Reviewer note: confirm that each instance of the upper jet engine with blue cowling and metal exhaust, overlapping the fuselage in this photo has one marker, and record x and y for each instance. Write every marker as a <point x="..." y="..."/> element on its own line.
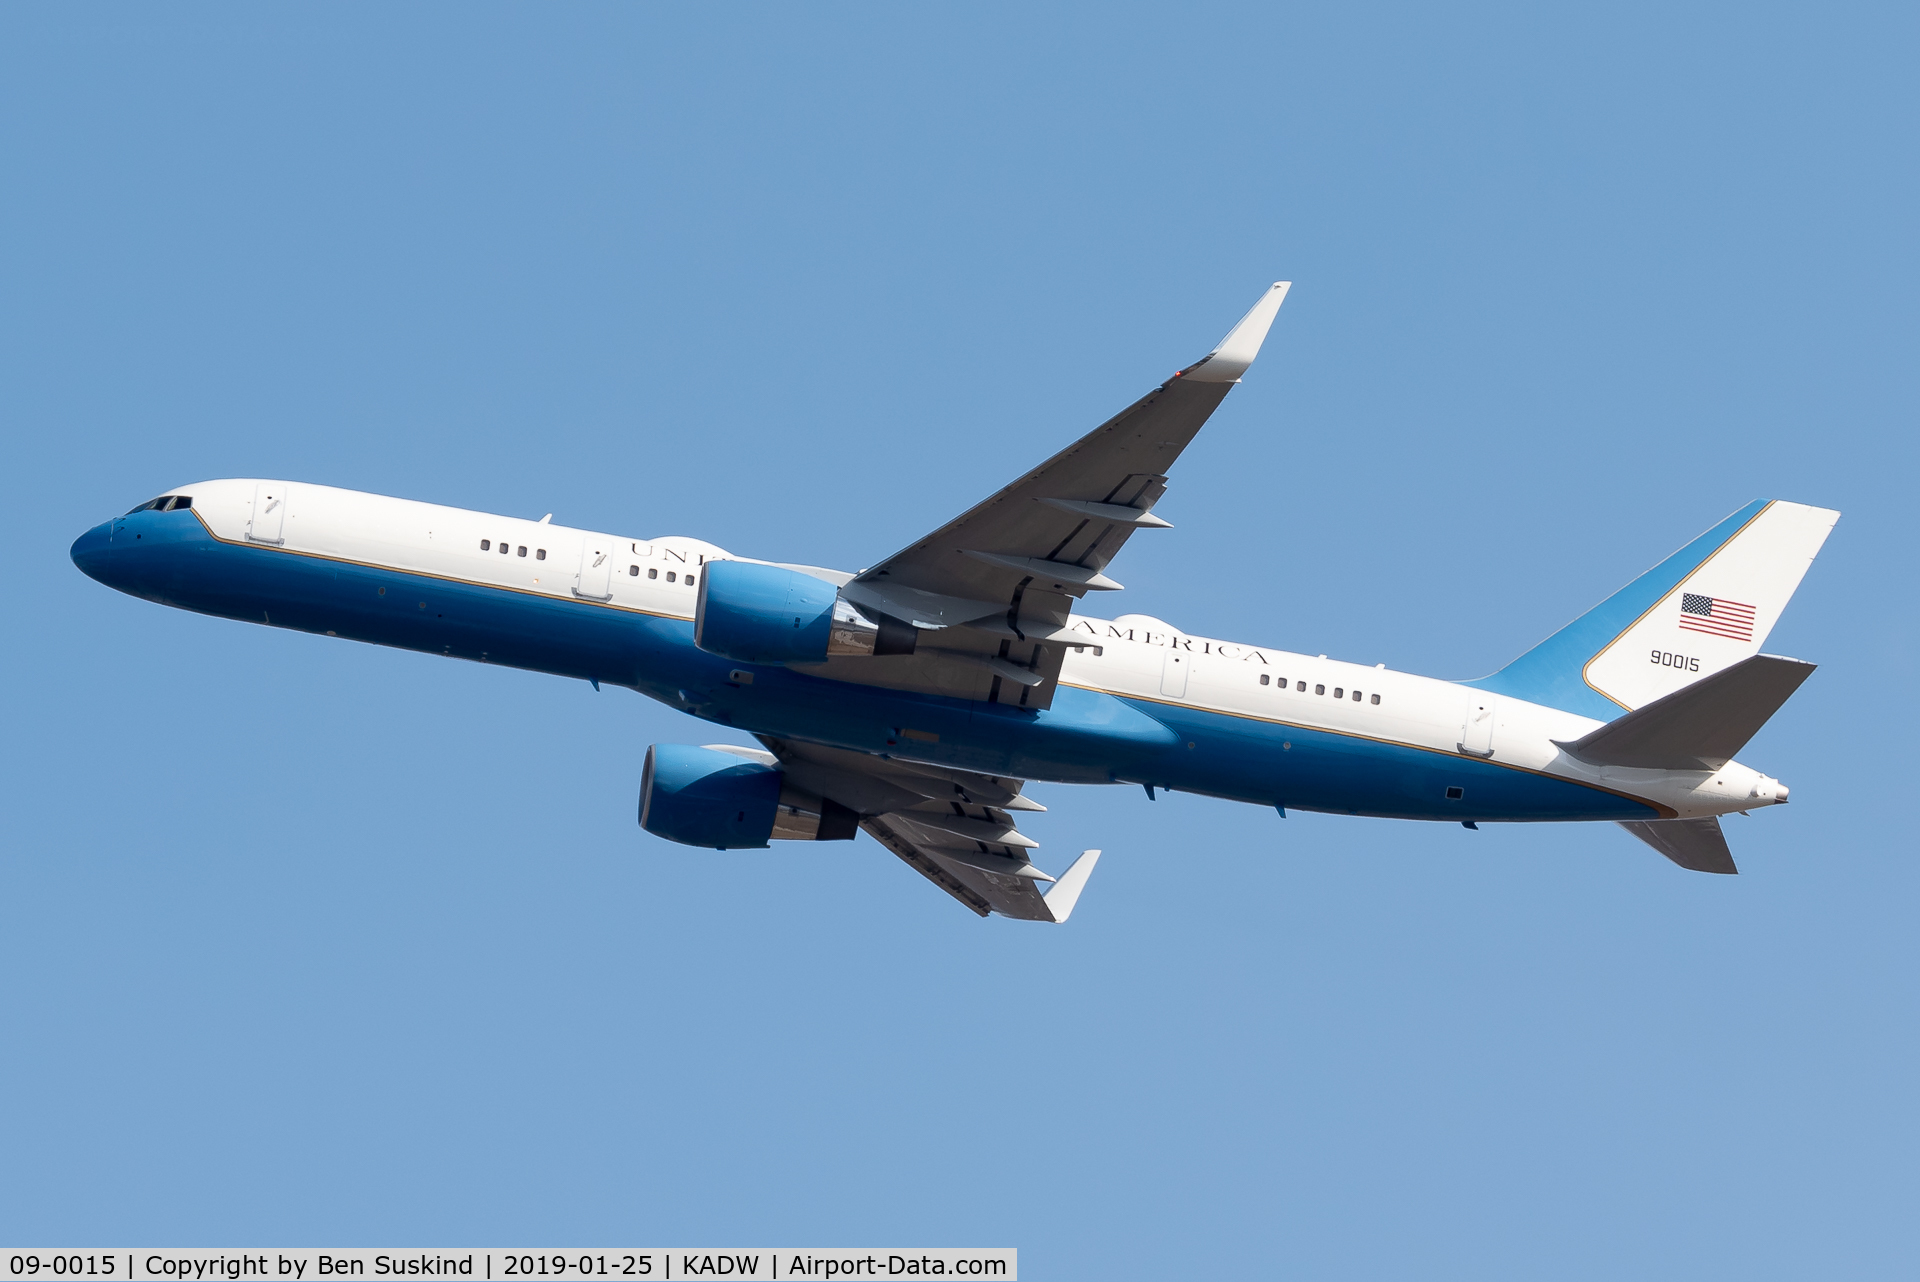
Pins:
<point x="771" y="615"/>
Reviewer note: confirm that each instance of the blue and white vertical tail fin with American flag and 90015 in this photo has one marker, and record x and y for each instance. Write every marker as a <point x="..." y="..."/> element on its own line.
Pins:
<point x="1700" y="611"/>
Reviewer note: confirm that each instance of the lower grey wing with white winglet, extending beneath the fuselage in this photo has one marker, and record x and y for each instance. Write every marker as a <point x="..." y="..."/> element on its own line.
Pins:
<point x="951" y="826"/>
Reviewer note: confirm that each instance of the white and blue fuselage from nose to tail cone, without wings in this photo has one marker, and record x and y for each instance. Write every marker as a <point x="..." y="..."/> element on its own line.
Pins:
<point x="1138" y="701"/>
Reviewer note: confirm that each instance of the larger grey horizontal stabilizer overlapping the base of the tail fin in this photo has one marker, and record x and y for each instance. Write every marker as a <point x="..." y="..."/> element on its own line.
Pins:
<point x="1700" y="726"/>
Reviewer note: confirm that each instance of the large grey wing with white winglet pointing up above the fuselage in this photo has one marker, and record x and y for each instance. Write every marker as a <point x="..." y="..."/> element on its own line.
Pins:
<point x="992" y="588"/>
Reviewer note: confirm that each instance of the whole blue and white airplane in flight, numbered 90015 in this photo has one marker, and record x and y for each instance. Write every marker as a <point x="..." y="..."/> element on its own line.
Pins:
<point x="917" y="700"/>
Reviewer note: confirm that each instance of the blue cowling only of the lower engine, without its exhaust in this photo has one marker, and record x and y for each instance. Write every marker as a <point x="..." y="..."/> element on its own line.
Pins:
<point x="708" y="799"/>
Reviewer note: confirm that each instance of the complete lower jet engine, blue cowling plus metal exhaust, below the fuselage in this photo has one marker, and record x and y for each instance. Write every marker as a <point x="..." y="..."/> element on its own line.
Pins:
<point x="732" y="799"/>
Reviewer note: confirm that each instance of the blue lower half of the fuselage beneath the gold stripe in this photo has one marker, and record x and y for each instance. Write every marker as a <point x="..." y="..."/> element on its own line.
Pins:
<point x="1086" y="738"/>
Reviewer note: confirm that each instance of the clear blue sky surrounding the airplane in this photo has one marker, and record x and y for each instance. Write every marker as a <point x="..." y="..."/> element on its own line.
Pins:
<point x="316" y="943"/>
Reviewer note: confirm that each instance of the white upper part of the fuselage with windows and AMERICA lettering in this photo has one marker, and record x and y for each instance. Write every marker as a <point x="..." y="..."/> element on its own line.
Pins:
<point x="1134" y="657"/>
